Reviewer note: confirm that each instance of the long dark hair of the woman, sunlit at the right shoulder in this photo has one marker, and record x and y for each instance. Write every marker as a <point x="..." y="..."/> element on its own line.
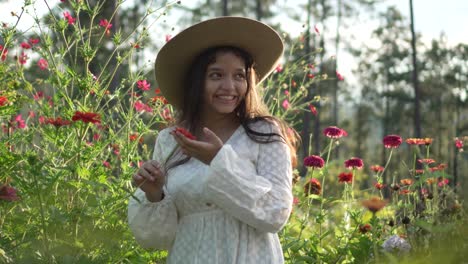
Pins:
<point x="250" y="110"/>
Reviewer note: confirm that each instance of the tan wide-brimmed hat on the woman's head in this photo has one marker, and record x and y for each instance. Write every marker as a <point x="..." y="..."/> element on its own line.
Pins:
<point x="175" y="58"/>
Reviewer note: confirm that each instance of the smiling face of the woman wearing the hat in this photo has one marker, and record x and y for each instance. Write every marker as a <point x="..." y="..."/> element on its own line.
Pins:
<point x="225" y="84"/>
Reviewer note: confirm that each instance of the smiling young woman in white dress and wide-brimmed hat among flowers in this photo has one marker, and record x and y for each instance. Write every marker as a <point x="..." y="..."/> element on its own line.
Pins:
<point x="223" y="195"/>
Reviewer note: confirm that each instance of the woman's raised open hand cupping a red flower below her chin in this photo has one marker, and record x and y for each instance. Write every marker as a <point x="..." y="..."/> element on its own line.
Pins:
<point x="204" y="151"/>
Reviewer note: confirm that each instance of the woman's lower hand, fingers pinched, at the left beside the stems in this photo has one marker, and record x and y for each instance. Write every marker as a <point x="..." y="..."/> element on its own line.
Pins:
<point x="150" y="179"/>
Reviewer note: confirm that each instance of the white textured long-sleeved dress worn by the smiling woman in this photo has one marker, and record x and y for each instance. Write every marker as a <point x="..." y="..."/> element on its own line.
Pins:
<point x="227" y="212"/>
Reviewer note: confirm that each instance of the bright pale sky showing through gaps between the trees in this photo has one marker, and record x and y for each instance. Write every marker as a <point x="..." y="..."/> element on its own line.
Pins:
<point x="432" y="17"/>
